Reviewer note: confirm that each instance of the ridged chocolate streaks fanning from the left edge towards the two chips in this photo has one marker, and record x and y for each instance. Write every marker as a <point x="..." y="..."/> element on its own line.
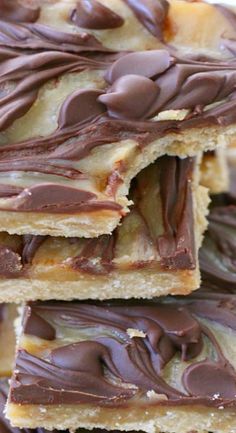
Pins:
<point x="30" y="70"/>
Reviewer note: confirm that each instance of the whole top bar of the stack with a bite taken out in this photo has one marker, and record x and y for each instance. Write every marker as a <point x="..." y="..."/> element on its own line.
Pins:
<point x="82" y="112"/>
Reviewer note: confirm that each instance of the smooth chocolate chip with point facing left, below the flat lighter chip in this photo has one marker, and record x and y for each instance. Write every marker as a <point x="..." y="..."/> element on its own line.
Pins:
<point x="130" y="97"/>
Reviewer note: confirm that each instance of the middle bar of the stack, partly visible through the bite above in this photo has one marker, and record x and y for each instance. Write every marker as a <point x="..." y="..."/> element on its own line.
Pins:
<point x="152" y="253"/>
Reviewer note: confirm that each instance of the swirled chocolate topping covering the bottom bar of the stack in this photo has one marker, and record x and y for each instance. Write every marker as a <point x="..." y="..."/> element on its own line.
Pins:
<point x="97" y="369"/>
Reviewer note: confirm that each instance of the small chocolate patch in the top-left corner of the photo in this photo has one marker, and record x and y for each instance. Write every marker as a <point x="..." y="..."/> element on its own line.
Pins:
<point x="11" y="10"/>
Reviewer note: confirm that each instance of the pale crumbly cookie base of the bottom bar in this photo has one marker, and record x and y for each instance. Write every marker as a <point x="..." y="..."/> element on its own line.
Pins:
<point x="150" y="419"/>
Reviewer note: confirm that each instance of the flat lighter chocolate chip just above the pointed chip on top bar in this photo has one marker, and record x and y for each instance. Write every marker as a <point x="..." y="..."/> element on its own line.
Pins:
<point x="145" y="63"/>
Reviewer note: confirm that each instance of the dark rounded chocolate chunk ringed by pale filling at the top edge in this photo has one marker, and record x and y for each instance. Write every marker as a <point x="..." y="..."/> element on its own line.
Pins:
<point x="91" y="14"/>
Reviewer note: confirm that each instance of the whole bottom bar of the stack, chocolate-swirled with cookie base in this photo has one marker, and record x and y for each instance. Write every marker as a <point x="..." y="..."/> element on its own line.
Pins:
<point x="166" y="365"/>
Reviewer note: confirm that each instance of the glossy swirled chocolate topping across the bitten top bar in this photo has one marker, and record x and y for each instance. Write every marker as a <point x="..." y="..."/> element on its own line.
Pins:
<point x="138" y="87"/>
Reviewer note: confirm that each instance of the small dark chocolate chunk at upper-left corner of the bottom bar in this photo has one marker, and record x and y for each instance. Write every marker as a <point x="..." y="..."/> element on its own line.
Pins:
<point x="37" y="326"/>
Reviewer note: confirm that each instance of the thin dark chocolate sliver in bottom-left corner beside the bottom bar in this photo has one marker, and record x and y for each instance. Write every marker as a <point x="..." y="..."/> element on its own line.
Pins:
<point x="5" y="425"/>
